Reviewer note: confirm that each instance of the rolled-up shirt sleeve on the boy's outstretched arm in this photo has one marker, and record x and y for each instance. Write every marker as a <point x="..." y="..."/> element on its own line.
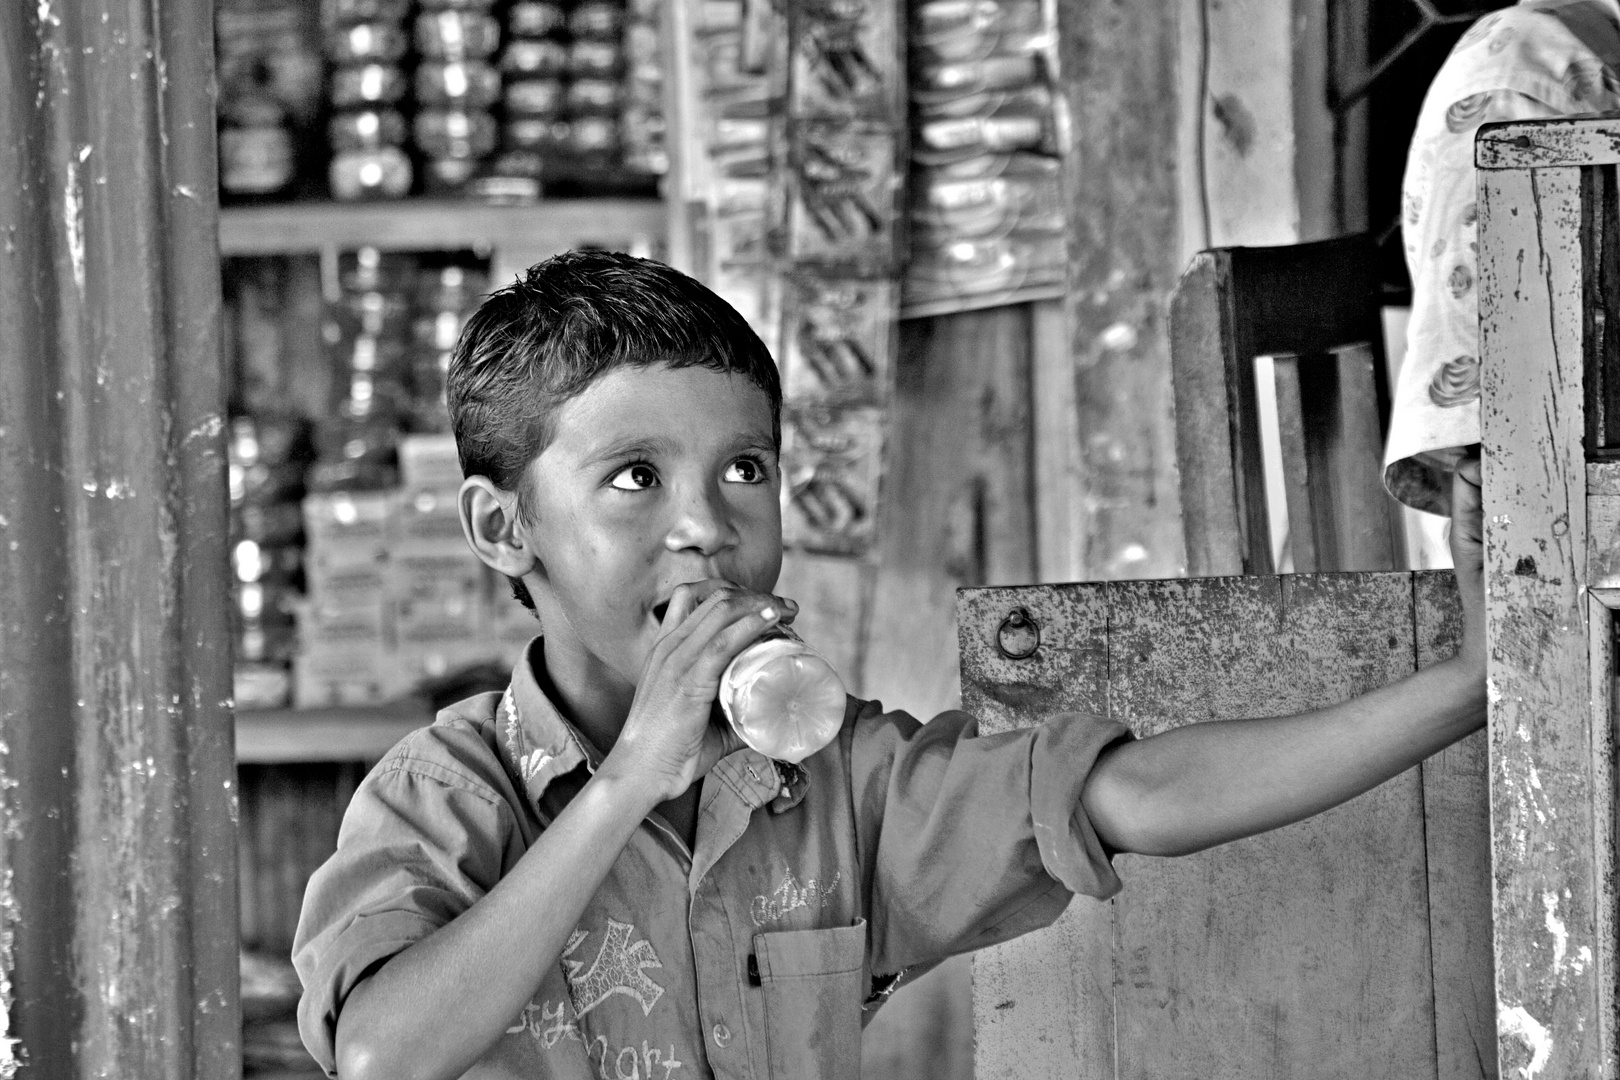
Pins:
<point x="973" y="840"/>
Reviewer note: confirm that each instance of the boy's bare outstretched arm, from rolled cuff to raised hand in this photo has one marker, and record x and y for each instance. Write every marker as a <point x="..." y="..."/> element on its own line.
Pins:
<point x="1206" y="784"/>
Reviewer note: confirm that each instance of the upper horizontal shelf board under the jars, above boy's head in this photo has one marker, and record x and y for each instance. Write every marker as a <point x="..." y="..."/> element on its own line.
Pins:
<point x="438" y="226"/>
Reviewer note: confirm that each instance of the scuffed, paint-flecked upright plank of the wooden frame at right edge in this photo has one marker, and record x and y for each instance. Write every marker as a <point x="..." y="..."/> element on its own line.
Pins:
<point x="1554" y="1005"/>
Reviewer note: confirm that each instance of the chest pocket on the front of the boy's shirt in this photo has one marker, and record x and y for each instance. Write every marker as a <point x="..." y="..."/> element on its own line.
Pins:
<point x="814" y="982"/>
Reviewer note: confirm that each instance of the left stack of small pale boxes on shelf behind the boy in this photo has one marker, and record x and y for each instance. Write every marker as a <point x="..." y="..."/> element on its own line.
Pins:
<point x="346" y="647"/>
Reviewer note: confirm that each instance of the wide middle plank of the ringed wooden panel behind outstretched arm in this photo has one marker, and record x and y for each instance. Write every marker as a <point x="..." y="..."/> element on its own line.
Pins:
<point x="1302" y="953"/>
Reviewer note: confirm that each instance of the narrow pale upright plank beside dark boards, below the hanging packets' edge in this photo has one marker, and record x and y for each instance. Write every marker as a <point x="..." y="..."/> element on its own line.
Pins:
<point x="1060" y="491"/>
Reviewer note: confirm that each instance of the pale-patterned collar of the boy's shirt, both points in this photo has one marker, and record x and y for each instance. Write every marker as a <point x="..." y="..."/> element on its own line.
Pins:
<point x="540" y="746"/>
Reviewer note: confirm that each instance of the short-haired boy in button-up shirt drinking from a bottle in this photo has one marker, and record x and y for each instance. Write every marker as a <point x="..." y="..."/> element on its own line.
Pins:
<point x="587" y="877"/>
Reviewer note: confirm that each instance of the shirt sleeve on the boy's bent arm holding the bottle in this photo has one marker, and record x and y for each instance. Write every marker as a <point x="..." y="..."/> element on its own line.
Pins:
<point x="422" y="840"/>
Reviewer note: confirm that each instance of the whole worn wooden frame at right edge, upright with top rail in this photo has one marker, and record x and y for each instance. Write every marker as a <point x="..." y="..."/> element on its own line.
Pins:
<point x="1546" y="242"/>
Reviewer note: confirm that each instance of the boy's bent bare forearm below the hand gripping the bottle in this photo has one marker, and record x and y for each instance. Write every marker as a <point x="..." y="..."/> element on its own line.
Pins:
<point x="437" y="1008"/>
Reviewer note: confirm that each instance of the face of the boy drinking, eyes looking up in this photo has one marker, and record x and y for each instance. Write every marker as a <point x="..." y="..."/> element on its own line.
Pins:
<point x="655" y="477"/>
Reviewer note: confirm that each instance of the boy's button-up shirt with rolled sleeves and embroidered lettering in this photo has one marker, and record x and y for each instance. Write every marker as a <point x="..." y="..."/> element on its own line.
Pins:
<point x="809" y="895"/>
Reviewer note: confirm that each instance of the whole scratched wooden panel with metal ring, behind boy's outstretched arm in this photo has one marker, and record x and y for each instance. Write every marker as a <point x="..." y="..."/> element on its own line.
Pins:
<point x="1302" y="953"/>
